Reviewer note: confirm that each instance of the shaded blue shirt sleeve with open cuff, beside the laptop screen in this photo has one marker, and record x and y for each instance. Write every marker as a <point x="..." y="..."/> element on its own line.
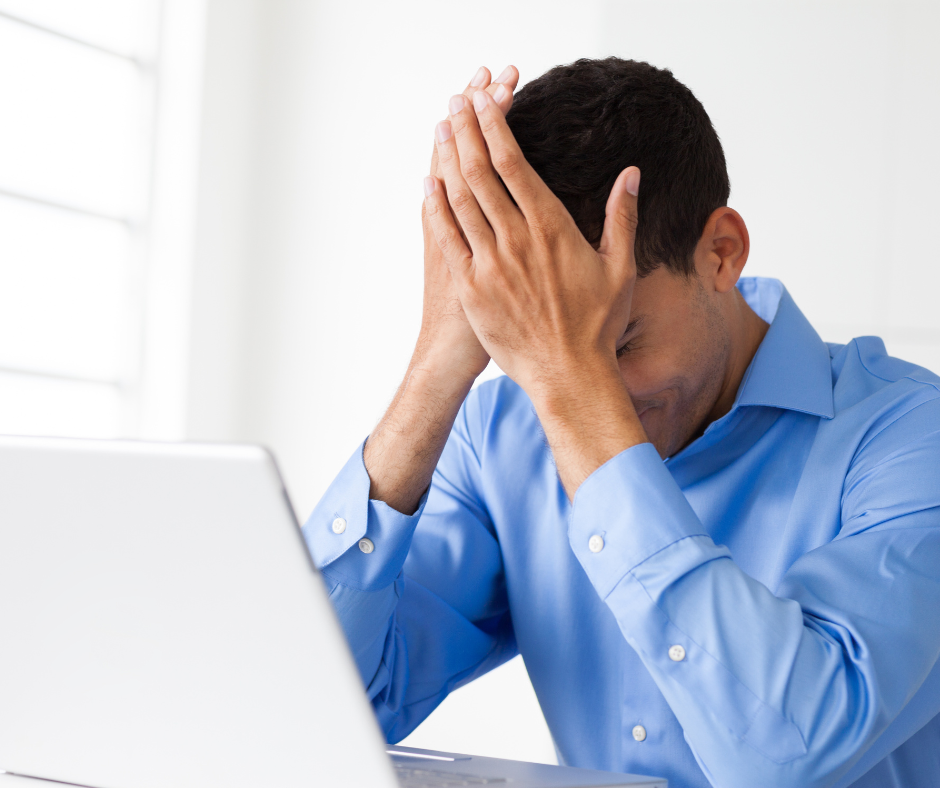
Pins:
<point x="424" y="606"/>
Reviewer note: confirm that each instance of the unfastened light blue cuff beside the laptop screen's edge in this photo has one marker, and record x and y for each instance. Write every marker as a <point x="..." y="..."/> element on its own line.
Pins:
<point x="356" y="541"/>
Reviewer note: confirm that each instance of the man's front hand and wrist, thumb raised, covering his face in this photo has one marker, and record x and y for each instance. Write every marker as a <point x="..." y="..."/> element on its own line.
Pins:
<point x="545" y="305"/>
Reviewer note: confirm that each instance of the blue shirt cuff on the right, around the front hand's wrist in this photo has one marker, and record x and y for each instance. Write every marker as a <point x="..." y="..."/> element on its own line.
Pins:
<point x="626" y="511"/>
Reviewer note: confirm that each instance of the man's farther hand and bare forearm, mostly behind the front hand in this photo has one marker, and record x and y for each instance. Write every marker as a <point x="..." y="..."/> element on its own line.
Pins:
<point x="402" y="451"/>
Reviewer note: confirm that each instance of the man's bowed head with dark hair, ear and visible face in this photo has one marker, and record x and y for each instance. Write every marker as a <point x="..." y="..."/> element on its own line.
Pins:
<point x="691" y="334"/>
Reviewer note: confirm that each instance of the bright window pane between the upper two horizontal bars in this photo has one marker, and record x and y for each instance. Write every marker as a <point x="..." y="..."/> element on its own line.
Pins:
<point x="71" y="121"/>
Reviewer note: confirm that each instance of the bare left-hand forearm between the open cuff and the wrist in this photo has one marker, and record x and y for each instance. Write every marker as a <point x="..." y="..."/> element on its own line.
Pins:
<point x="403" y="450"/>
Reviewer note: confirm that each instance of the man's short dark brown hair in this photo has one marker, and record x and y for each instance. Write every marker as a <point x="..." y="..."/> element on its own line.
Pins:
<point x="582" y="124"/>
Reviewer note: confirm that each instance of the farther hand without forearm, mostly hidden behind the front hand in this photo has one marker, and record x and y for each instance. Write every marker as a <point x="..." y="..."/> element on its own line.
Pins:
<point x="446" y="339"/>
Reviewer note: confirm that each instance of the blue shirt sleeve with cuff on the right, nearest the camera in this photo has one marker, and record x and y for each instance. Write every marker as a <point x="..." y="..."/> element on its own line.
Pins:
<point x="808" y="686"/>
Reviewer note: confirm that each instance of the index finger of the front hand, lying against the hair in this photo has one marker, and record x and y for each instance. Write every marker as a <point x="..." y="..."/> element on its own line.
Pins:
<point x="524" y="183"/>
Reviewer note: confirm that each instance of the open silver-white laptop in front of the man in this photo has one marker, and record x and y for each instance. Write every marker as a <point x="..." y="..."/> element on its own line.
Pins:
<point x="163" y="624"/>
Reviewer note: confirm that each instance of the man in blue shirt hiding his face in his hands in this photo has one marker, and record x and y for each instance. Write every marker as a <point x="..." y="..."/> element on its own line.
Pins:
<point x="714" y="538"/>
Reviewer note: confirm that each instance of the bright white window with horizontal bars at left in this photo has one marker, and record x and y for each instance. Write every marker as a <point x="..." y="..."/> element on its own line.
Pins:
<point x="78" y="135"/>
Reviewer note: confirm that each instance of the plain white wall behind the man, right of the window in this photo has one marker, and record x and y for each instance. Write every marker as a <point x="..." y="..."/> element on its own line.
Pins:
<point x="317" y="133"/>
